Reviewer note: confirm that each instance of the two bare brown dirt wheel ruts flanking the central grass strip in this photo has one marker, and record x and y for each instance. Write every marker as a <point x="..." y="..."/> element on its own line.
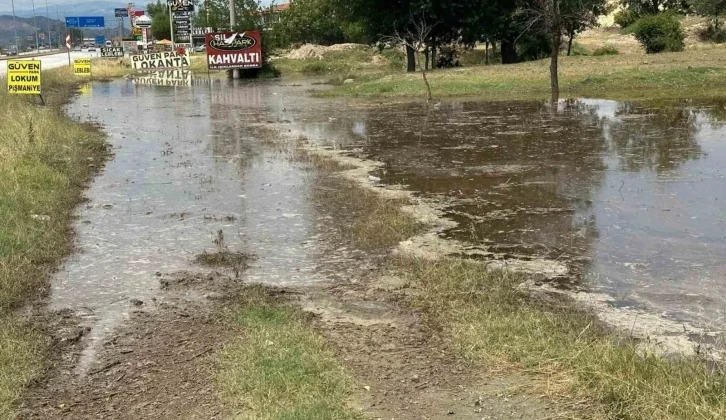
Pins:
<point x="158" y="364"/>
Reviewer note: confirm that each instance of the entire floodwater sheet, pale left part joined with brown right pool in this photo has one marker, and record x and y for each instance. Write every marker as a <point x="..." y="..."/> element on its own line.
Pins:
<point x="630" y="197"/>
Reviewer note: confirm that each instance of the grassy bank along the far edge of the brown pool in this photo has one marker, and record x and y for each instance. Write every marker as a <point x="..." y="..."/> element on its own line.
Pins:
<point x="635" y="76"/>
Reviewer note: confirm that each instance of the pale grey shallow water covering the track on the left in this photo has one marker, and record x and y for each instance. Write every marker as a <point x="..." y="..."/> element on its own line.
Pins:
<point x="187" y="164"/>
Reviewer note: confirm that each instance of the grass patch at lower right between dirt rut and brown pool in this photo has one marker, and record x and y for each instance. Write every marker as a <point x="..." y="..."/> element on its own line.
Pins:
<point x="491" y="321"/>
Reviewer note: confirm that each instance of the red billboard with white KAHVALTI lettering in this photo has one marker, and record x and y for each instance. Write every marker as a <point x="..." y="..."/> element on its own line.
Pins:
<point x="234" y="50"/>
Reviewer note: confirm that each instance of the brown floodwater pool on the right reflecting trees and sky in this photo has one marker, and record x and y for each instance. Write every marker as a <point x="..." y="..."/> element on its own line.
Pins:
<point x="630" y="196"/>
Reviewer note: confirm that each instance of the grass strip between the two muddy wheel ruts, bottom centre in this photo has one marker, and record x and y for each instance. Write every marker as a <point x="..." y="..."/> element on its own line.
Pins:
<point x="280" y="369"/>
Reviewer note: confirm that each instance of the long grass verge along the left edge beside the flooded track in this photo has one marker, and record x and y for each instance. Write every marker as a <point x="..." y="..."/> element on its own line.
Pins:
<point x="46" y="159"/>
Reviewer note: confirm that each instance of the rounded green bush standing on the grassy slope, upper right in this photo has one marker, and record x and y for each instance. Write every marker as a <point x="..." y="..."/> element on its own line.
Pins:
<point x="659" y="33"/>
